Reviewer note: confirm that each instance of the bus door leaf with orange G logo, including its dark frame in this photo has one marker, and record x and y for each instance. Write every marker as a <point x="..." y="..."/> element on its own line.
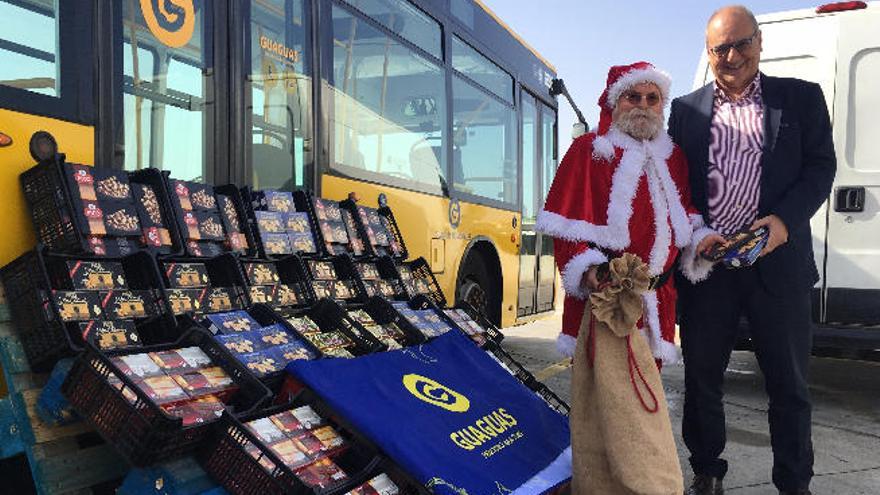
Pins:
<point x="168" y="91"/>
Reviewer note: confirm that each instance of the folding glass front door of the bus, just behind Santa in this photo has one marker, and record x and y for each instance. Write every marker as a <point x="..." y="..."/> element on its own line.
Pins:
<point x="537" y="269"/>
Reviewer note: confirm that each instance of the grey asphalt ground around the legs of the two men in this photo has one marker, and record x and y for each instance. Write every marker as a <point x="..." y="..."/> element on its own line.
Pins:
<point x="846" y="414"/>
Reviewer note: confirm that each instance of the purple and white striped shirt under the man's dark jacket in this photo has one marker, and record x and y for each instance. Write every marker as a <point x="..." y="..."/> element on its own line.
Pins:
<point x="737" y="138"/>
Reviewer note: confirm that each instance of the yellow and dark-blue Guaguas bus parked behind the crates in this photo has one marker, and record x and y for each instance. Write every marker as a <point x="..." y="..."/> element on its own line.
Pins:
<point x="434" y="104"/>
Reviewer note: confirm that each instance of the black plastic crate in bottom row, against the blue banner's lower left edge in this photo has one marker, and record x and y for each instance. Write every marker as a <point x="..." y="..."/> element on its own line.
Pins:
<point x="227" y="460"/>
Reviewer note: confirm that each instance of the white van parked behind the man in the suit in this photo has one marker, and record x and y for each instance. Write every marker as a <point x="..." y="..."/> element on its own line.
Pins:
<point x="838" y="46"/>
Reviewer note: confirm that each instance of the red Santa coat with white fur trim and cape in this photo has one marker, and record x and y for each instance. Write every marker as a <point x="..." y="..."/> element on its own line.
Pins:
<point x="623" y="195"/>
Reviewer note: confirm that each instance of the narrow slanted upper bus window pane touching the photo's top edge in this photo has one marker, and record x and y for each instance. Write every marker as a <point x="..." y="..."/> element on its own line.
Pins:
<point x="406" y="20"/>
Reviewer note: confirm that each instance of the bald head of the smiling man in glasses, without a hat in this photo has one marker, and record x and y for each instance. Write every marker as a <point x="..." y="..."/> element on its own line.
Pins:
<point x="733" y="42"/>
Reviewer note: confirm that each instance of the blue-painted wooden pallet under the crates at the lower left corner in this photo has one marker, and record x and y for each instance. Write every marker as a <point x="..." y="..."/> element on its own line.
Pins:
<point x="63" y="459"/>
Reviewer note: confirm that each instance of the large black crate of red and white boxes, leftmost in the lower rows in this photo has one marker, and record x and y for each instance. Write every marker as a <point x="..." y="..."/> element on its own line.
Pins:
<point x="140" y="430"/>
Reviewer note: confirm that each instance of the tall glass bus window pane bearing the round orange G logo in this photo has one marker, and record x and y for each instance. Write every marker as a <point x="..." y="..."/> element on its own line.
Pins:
<point x="166" y="115"/>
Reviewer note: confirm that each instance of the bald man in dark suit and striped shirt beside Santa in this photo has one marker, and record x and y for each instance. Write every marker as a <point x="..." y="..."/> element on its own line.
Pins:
<point x="760" y="153"/>
